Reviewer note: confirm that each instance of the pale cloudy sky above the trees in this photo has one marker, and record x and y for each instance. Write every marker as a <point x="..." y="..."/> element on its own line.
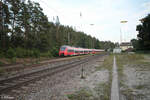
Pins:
<point x="105" y="15"/>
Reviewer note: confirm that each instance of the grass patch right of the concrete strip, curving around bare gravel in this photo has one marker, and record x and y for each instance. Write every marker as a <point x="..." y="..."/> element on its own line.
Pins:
<point x="131" y="60"/>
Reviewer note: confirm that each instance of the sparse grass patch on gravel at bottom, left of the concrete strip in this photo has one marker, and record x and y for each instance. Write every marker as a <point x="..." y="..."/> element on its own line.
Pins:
<point x="100" y="92"/>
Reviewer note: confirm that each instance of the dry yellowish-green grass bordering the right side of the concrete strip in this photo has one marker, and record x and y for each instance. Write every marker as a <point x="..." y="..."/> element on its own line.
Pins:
<point x="130" y="60"/>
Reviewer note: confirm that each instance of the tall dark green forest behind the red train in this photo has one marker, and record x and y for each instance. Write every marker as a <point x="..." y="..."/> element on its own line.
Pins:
<point x="26" y="32"/>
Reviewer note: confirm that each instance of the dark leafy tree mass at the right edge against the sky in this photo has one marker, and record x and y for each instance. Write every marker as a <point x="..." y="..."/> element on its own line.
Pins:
<point x="143" y="41"/>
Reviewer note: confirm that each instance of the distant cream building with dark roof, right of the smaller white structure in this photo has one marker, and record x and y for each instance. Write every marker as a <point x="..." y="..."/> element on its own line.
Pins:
<point x="126" y="46"/>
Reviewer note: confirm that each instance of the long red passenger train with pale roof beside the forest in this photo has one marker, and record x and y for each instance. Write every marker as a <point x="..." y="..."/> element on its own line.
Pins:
<point x="70" y="51"/>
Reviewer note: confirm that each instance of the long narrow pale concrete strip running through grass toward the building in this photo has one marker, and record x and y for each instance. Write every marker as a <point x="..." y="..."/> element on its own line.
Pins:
<point x="114" y="87"/>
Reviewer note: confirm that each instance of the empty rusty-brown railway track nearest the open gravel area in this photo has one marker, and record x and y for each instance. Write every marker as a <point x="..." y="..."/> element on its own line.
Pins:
<point x="23" y="79"/>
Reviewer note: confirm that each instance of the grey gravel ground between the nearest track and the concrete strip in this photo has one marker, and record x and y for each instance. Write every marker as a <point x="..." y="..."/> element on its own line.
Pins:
<point x="59" y="85"/>
